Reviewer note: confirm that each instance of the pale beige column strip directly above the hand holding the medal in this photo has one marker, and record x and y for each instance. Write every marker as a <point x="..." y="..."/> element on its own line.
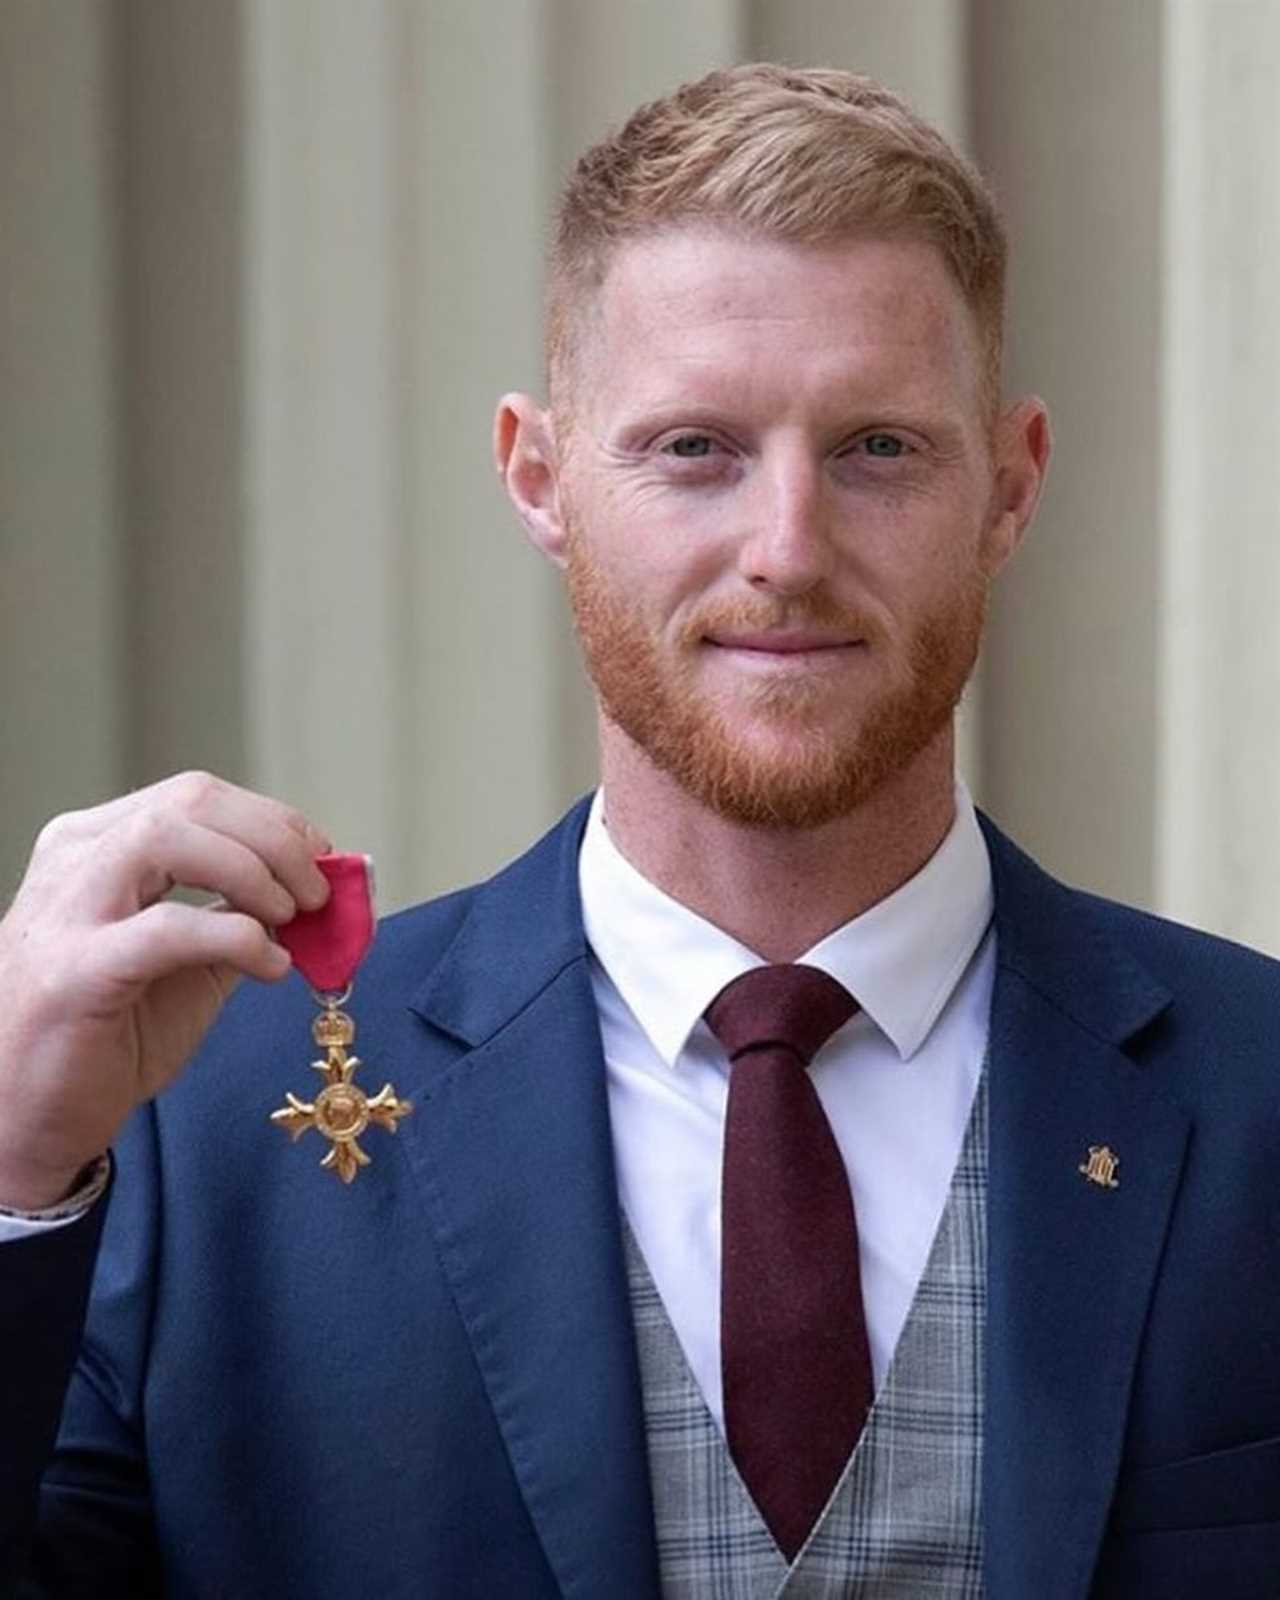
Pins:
<point x="324" y="535"/>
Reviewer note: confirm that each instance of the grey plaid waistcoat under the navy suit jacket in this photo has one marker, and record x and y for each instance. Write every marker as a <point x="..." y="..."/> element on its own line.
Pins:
<point x="905" y="1519"/>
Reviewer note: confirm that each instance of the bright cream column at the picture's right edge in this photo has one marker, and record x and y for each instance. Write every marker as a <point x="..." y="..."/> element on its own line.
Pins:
<point x="1218" y="663"/>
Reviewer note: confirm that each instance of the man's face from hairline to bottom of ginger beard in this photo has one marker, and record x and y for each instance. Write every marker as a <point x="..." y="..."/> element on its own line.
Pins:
<point x="778" y="498"/>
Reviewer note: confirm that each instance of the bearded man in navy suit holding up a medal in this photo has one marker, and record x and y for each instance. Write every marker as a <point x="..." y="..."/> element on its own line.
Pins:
<point x="804" y="1194"/>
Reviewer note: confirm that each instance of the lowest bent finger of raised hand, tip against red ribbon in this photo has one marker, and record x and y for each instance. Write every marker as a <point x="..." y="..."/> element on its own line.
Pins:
<point x="169" y="938"/>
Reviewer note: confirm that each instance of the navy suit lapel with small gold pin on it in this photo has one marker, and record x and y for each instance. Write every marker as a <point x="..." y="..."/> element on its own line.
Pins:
<point x="1071" y="1260"/>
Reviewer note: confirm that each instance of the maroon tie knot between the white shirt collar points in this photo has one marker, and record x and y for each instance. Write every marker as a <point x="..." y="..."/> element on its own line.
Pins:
<point x="788" y="1006"/>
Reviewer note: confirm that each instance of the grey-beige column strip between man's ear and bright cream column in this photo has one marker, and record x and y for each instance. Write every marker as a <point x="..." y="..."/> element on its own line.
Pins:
<point x="1066" y="106"/>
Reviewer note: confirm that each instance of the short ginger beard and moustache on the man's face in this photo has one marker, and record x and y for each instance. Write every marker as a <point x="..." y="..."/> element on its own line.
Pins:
<point x="777" y="759"/>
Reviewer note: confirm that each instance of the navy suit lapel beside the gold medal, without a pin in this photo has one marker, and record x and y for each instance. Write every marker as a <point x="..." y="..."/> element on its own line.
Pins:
<point x="514" y="1156"/>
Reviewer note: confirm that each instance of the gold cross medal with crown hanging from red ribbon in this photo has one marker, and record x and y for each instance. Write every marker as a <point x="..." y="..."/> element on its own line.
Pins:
<point x="327" y="948"/>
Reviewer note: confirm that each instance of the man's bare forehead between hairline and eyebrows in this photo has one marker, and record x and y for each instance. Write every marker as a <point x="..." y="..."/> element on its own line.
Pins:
<point x="705" y="306"/>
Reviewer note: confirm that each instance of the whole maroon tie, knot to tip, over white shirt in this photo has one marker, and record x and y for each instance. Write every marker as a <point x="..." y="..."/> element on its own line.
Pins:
<point x="793" y="1335"/>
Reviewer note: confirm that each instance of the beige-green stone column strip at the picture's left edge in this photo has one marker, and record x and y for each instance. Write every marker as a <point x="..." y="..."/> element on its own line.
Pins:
<point x="63" y="591"/>
